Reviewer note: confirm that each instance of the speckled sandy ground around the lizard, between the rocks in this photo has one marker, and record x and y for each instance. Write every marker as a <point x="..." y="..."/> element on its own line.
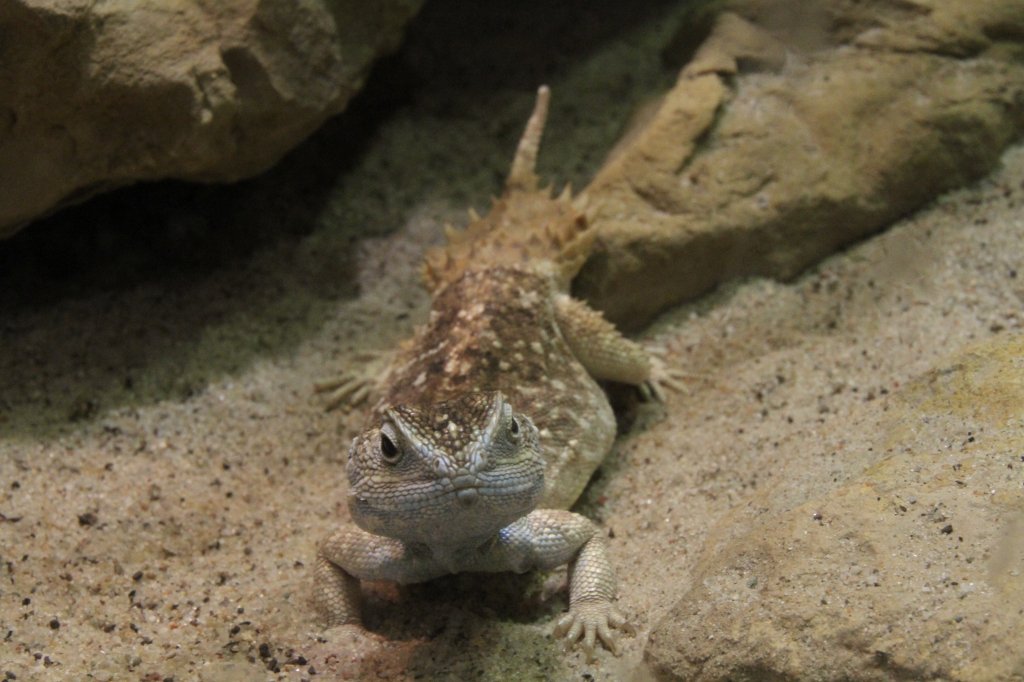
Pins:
<point x="166" y="470"/>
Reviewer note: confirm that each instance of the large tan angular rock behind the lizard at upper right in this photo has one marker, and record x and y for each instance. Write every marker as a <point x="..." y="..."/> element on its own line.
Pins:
<point x="779" y="146"/>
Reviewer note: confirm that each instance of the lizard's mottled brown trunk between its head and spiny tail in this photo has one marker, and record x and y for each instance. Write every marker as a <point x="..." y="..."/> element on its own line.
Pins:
<point x="497" y="329"/>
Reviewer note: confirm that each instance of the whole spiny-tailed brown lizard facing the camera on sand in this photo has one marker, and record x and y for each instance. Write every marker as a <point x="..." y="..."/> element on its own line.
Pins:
<point x="491" y="420"/>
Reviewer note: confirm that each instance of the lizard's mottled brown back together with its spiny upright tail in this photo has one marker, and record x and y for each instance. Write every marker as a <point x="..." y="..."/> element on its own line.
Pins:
<point x="494" y="323"/>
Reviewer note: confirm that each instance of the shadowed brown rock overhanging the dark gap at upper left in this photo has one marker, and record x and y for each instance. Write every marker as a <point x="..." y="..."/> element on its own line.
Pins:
<point x="98" y="96"/>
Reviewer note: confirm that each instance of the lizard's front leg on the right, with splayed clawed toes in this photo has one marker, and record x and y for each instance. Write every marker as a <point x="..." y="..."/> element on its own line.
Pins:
<point x="549" y="538"/>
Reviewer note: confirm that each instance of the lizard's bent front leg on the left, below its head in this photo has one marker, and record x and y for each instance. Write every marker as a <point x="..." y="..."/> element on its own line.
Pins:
<point x="352" y="556"/>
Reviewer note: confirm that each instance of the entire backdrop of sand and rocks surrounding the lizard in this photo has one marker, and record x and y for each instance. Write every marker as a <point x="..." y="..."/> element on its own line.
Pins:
<point x="838" y="494"/>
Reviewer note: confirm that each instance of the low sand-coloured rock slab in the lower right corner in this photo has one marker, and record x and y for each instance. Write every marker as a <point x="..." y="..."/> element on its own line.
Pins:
<point x="911" y="571"/>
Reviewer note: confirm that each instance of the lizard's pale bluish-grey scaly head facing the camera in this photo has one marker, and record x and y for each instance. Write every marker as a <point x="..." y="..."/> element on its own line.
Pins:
<point x="447" y="474"/>
